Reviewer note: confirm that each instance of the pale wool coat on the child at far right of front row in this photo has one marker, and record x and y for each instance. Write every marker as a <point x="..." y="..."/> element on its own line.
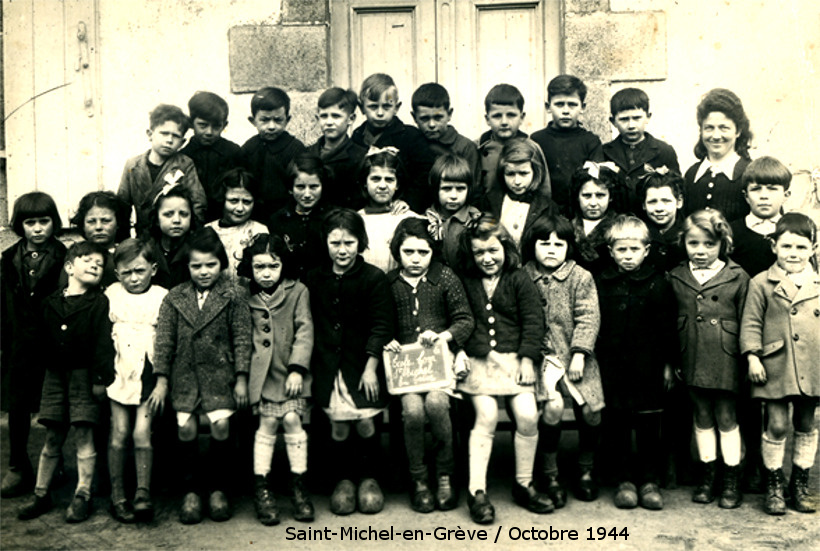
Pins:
<point x="781" y="325"/>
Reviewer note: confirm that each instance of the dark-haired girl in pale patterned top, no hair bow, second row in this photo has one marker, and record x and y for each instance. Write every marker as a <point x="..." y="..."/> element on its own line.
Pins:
<point x="235" y="228"/>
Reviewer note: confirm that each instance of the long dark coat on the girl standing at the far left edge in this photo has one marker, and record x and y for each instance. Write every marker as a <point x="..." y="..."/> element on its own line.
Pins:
<point x="20" y="310"/>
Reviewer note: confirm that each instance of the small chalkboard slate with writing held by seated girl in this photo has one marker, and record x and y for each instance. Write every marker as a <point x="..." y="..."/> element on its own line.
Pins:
<point x="418" y="368"/>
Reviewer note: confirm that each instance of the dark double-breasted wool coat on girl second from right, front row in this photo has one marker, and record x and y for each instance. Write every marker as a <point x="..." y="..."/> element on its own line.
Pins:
<point x="709" y="325"/>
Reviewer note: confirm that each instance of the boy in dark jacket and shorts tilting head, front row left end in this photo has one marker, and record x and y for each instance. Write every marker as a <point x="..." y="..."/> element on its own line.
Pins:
<point x="79" y="357"/>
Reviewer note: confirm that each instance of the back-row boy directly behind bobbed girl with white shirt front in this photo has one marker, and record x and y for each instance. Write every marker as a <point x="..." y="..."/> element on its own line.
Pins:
<point x="504" y="113"/>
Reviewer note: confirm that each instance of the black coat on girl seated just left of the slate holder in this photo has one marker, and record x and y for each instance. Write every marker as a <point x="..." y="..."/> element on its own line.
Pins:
<point x="353" y="319"/>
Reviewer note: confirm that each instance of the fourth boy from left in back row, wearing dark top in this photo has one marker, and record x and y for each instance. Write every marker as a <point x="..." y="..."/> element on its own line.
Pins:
<point x="340" y="155"/>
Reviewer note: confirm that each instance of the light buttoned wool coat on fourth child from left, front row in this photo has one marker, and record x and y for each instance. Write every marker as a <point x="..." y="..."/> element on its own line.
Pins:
<point x="282" y="341"/>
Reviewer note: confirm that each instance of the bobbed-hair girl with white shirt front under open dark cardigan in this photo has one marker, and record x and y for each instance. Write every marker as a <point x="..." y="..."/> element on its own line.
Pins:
<point x="518" y="204"/>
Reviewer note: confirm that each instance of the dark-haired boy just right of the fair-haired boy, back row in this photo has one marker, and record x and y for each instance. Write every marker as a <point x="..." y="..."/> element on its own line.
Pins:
<point x="432" y="113"/>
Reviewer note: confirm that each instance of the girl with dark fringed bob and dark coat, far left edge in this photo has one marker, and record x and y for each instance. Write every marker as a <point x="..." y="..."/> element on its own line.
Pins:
<point x="29" y="271"/>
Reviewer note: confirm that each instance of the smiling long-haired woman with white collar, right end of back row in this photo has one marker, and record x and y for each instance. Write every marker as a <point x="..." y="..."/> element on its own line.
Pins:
<point x="715" y="181"/>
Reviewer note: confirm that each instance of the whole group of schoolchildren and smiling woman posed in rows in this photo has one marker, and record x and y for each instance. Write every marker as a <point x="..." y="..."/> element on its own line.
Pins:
<point x="555" y="269"/>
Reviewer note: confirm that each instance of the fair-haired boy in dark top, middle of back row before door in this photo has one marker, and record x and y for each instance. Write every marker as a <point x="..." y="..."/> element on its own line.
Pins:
<point x="379" y="101"/>
